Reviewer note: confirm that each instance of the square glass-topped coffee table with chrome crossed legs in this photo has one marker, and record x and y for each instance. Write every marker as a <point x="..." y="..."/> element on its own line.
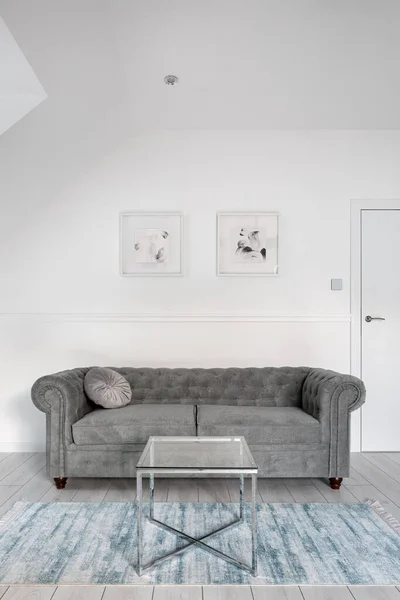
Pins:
<point x="196" y="457"/>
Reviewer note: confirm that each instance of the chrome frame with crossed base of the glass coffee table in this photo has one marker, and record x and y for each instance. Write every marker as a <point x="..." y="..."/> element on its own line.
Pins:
<point x="200" y="542"/>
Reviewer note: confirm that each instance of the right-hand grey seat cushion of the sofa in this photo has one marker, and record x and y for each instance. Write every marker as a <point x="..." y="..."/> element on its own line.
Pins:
<point x="260" y="425"/>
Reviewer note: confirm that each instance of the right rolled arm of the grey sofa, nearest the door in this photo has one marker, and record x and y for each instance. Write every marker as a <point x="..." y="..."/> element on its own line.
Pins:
<point x="330" y="397"/>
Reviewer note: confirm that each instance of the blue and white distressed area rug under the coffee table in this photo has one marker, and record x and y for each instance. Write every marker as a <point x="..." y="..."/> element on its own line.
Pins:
<point x="300" y="544"/>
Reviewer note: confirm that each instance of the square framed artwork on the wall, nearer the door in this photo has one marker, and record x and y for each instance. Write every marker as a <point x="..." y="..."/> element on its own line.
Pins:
<point x="247" y="244"/>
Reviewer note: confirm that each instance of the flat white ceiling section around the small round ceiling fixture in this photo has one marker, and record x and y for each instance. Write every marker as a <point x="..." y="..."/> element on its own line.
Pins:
<point x="262" y="63"/>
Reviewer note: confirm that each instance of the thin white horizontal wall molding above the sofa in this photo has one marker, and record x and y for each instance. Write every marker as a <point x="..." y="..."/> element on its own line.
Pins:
<point x="178" y="317"/>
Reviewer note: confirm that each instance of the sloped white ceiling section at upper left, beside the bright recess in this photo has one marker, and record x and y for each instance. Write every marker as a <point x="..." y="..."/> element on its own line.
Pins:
<point x="72" y="50"/>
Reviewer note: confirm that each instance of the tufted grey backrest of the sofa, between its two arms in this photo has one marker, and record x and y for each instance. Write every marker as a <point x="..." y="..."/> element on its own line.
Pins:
<point x="266" y="386"/>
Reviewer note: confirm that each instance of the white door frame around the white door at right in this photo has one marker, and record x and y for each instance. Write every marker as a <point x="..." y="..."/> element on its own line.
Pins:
<point x="356" y="208"/>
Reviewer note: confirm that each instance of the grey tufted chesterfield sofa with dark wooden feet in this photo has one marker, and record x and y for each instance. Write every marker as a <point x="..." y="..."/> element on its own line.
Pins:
<point x="295" y="420"/>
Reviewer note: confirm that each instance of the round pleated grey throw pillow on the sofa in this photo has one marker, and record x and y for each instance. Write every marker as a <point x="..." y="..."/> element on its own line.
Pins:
<point x="107" y="388"/>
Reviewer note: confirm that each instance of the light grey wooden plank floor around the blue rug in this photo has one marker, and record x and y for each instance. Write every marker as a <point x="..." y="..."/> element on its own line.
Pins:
<point x="373" y="475"/>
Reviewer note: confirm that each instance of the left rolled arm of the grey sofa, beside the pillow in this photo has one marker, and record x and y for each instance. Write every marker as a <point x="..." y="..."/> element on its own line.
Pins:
<point x="61" y="396"/>
